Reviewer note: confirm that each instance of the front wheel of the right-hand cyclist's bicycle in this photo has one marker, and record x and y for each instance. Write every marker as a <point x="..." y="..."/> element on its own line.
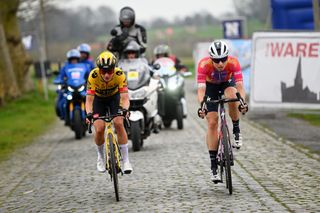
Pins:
<point x="226" y="153"/>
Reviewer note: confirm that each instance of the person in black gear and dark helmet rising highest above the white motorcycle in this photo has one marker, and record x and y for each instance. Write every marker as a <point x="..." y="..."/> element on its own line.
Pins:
<point x="125" y="32"/>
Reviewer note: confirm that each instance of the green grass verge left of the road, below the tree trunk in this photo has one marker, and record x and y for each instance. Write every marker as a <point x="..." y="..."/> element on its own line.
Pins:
<point x="24" y="119"/>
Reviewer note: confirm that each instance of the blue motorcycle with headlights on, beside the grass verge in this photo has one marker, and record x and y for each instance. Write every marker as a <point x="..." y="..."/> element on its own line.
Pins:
<point x="72" y="105"/>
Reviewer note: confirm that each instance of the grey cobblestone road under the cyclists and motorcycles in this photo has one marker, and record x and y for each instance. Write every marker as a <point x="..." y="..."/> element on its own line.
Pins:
<point x="171" y="174"/>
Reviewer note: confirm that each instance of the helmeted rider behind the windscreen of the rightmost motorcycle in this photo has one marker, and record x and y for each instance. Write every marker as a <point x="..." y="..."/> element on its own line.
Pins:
<point x="163" y="50"/>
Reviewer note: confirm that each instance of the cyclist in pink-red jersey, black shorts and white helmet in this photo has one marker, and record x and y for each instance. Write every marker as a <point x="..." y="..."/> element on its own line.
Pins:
<point x="219" y="72"/>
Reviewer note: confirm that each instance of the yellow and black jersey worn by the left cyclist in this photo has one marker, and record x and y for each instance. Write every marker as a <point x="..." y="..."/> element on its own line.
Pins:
<point x="97" y="86"/>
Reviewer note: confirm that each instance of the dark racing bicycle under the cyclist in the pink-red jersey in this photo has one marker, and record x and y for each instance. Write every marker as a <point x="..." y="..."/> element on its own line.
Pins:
<point x="225" y="154"/>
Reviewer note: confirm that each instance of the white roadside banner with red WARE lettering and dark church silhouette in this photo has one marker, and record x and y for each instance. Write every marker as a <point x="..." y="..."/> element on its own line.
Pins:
<point x="285" y="70"/>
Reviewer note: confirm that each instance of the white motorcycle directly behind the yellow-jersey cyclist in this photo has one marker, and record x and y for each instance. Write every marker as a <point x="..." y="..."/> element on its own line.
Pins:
<point x="142" y="89"/>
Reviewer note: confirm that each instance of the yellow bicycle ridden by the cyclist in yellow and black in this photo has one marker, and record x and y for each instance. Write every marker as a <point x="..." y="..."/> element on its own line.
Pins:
<point x="113" y="154"/>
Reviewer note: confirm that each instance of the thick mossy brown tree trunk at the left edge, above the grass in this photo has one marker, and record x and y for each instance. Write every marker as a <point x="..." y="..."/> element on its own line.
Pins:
<point x="15" y="63"/>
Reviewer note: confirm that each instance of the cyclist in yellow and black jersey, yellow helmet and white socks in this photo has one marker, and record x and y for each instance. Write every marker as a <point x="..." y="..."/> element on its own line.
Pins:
<point x="107" y="88"/>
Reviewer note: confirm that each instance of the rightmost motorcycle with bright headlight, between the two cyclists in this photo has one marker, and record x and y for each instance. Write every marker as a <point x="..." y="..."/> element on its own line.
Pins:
<point x="172" y="103"/>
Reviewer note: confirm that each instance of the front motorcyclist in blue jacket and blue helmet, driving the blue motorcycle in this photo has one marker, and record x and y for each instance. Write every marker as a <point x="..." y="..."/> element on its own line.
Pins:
<point x="72" y="69"/>
